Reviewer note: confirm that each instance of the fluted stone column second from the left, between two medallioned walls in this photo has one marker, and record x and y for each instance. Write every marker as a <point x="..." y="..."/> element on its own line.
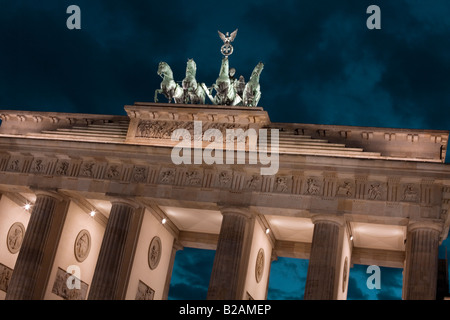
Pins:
<point x="106" y="279"/>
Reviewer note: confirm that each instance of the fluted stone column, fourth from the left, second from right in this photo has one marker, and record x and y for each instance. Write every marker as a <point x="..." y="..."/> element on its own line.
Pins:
<point x="324" y="262"/>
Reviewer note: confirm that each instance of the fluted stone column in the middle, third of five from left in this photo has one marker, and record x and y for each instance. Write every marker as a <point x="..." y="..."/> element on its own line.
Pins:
<point x="229" y="262"/>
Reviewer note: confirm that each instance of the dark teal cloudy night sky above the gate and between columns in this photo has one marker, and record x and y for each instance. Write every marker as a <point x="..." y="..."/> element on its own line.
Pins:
<point x="322" y="65"/>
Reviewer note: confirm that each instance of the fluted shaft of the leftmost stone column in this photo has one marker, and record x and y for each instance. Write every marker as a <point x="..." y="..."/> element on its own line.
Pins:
<point x="31" y="255"/>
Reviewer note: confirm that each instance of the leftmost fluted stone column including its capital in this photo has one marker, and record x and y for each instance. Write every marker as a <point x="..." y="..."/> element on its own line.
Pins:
<point x="32" y="265"/>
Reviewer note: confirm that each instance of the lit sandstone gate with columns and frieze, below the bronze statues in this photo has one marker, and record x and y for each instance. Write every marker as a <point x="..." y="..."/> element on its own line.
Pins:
<point x="338" y="194"/>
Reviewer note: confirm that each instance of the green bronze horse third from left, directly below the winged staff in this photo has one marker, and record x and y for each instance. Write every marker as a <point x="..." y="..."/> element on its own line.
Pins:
<point x="225" y="90"/>
